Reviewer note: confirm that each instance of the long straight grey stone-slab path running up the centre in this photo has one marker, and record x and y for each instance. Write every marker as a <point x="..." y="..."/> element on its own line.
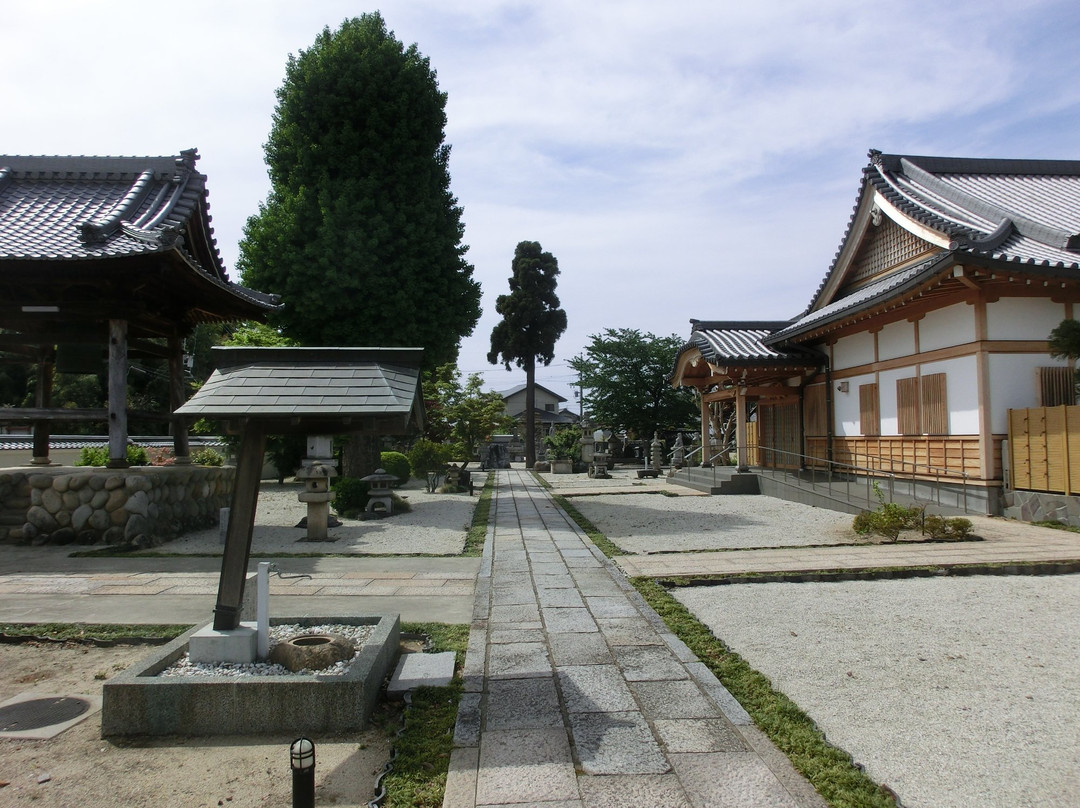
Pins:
<point x="578" y="696"/>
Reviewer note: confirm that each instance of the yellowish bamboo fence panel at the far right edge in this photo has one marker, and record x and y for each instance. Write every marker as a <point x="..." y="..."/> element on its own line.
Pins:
<point x="1045" y="450"/>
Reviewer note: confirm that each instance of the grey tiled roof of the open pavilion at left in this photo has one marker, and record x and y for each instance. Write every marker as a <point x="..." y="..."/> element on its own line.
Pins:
<point x="75" y="209"/>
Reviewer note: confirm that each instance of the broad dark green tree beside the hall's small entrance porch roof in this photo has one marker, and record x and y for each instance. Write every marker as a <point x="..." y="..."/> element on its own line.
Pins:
<point x="626" y="374"/>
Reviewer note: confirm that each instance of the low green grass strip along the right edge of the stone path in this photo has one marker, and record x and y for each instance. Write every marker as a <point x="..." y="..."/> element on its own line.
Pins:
<point x="831" y="771"/>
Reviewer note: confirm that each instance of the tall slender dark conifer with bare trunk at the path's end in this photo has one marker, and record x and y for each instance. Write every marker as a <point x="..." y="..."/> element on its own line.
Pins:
<point x="532" y="325"/>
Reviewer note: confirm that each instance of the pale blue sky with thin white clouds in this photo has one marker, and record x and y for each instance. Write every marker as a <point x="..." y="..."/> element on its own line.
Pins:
<point x="695" y="159"/>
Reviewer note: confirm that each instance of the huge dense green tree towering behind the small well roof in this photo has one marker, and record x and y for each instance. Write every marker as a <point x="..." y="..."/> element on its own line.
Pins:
<point x="360" y="235"/>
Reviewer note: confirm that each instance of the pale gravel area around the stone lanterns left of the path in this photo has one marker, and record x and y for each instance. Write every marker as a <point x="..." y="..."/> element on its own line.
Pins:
<point x="437" y="524"/>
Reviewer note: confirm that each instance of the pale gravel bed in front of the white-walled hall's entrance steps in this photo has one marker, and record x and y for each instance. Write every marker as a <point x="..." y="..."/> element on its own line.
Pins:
<point x="651" y="523"/>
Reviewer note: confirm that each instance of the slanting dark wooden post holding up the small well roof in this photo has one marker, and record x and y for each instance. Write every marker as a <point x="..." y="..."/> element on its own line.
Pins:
<point x="238" y="536"/>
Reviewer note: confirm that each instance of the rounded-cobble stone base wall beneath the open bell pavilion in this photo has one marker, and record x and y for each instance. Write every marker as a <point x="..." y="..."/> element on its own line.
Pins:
<point x="143" y="506"/>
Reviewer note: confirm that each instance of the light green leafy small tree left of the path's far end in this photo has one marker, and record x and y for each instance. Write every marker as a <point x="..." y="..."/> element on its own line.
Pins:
<point x="465" y="416"/>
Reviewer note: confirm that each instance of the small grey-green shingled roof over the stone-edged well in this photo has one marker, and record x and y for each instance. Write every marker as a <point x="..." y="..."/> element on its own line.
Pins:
<point x="315" y="390"/>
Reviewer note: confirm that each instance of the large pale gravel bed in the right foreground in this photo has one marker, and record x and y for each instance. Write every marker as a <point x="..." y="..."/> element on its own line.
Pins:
<point x="955" y="692"/>
